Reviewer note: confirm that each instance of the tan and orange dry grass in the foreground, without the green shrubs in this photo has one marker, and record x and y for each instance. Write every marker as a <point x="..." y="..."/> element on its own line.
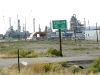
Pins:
<point x="36" y="69"/>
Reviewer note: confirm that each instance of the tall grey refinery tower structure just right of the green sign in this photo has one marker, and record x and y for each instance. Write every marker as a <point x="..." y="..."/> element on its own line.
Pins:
<point x="77" y="27"/>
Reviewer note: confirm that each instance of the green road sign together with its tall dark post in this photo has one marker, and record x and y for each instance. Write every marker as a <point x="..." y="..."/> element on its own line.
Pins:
<point x="59" y="24"/>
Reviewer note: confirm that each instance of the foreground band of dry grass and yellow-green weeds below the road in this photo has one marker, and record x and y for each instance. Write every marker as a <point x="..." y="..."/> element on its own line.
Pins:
<point x="47" y="69"/>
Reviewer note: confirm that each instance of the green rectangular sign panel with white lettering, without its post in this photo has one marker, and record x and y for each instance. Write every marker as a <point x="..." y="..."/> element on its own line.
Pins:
<point x="59" y="24"/>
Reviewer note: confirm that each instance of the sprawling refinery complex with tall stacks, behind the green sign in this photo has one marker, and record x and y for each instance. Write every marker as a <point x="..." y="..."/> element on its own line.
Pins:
<point x="76" y="31"/>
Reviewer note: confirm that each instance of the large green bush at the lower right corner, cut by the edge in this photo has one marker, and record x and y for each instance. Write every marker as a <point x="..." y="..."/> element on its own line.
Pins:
<point x="95" y="67"/>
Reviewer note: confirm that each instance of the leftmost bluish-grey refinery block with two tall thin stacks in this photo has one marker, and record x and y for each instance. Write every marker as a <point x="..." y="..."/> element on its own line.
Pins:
<point x="15" y="34"/>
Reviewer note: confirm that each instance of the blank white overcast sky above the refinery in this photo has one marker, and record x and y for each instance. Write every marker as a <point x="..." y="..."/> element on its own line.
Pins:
<point x="45" y="10"/>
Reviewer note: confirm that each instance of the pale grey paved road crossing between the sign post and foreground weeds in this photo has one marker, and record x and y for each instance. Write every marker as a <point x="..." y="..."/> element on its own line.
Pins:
<point x="8" y="62"/>
